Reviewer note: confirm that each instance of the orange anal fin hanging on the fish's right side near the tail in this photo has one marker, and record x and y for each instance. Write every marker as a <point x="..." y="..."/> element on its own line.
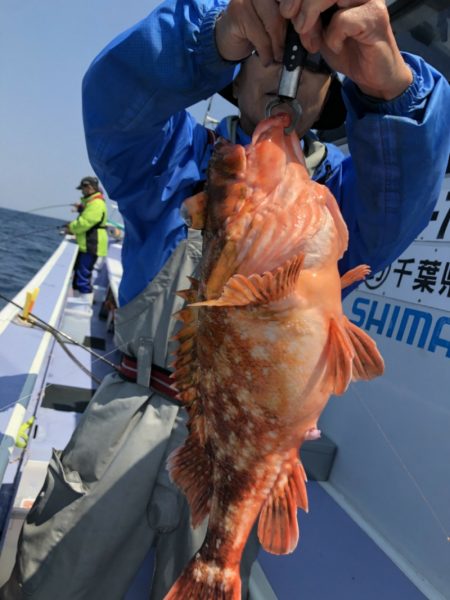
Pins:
<point x="278" y="527"/>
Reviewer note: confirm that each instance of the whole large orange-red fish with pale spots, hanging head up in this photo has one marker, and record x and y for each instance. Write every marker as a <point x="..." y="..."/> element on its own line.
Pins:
<point x="263" y="346"/>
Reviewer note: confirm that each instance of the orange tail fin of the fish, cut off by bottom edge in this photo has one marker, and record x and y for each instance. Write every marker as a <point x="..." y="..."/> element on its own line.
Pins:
<point x="206" y="580"/>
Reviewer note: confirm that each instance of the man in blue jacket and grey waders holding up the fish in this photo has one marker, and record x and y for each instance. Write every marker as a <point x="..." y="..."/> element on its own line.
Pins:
<point x="107" y="497"/>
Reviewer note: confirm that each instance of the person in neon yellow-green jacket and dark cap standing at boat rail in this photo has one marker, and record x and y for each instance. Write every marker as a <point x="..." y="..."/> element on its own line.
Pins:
<point x="89" y="229"/>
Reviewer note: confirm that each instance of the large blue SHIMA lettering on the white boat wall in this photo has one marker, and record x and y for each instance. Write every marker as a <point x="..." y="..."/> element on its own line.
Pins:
<point x="415" y="327"/>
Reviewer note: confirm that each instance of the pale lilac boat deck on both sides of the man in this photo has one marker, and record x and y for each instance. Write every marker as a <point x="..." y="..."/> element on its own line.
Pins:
<point x="335" y="557"/>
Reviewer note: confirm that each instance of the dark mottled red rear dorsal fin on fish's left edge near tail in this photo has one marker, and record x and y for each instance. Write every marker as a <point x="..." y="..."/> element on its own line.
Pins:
<point x="190" y="467"/>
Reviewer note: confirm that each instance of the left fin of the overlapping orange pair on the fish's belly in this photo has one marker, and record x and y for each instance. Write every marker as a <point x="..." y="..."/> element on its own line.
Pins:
<point x="339" y="355"/>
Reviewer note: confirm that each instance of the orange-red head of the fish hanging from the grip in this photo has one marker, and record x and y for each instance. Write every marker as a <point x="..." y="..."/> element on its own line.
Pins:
<point x="262" y="209"/>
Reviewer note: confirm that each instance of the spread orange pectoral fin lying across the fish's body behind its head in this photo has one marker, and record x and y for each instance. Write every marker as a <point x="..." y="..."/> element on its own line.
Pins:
<point x="259" y="289"/>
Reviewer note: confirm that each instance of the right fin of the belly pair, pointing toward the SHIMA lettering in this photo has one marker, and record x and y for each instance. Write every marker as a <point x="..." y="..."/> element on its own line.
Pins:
<point x="367" y="362"/>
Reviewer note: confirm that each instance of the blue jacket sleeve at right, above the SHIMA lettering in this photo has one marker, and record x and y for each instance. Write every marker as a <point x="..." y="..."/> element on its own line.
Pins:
<point x="399" y="152"/>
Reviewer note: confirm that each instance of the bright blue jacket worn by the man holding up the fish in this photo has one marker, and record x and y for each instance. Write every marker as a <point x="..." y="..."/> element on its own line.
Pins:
<point x="149" y="152"/>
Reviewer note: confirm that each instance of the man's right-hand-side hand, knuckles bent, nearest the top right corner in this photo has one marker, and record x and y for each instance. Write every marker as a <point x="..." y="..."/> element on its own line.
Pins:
<point x="358" y="42"/>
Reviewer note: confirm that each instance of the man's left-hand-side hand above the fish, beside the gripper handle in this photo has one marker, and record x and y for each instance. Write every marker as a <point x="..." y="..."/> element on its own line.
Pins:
<point x="248" y="25"/>
